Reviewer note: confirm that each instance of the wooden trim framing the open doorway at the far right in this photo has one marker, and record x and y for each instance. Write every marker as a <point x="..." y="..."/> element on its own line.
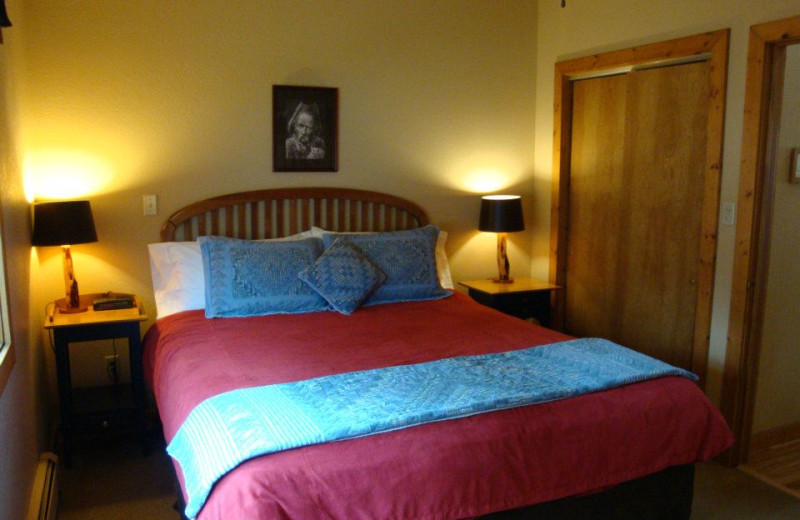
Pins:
<point x="767" y="41"/>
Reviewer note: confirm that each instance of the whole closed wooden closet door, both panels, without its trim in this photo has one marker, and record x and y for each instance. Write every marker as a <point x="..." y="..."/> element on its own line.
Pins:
<point x="636" y="197"/>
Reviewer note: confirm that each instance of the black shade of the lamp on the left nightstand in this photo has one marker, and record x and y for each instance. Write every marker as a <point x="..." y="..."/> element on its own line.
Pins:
<point x="63" y="223"/>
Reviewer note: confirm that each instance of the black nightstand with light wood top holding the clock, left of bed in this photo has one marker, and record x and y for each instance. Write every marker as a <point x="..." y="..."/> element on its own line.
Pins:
<point x="95" y="410"/>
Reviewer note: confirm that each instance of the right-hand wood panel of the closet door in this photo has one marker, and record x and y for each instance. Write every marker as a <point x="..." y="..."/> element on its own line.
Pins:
<point x="665" y="164"/>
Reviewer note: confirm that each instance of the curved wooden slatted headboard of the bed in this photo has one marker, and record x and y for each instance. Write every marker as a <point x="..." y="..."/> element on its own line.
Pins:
<point x="285" y="211"/>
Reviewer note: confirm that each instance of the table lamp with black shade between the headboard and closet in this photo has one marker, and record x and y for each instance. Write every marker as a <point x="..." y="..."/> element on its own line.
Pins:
<point x="501" y="214"/>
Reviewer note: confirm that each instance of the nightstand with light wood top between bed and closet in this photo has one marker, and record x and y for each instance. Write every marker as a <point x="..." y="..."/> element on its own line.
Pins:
<point x="523" y="298"/>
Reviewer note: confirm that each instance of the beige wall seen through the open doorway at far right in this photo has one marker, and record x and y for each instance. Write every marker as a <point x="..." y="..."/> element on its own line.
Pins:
<point x="778" y="385"/>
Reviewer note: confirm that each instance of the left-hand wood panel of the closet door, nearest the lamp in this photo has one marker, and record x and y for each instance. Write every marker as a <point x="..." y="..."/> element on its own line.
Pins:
<point x="596" y="175"/>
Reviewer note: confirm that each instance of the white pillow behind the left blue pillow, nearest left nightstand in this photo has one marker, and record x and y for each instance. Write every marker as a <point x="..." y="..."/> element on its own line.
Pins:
<point x="177" y="272"/>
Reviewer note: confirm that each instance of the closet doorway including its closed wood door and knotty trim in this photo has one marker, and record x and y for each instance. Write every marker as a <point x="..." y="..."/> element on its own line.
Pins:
<point x="614" y="223"/>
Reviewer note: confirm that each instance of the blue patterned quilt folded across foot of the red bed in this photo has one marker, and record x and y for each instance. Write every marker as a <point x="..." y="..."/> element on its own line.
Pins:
<point x="228" y="429"/>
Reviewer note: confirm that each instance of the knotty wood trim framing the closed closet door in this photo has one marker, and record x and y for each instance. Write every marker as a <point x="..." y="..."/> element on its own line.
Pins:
<point x="714" y="47"/>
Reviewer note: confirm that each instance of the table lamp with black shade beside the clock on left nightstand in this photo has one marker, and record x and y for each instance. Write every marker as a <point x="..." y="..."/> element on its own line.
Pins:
<point x="63" y="224"/>
